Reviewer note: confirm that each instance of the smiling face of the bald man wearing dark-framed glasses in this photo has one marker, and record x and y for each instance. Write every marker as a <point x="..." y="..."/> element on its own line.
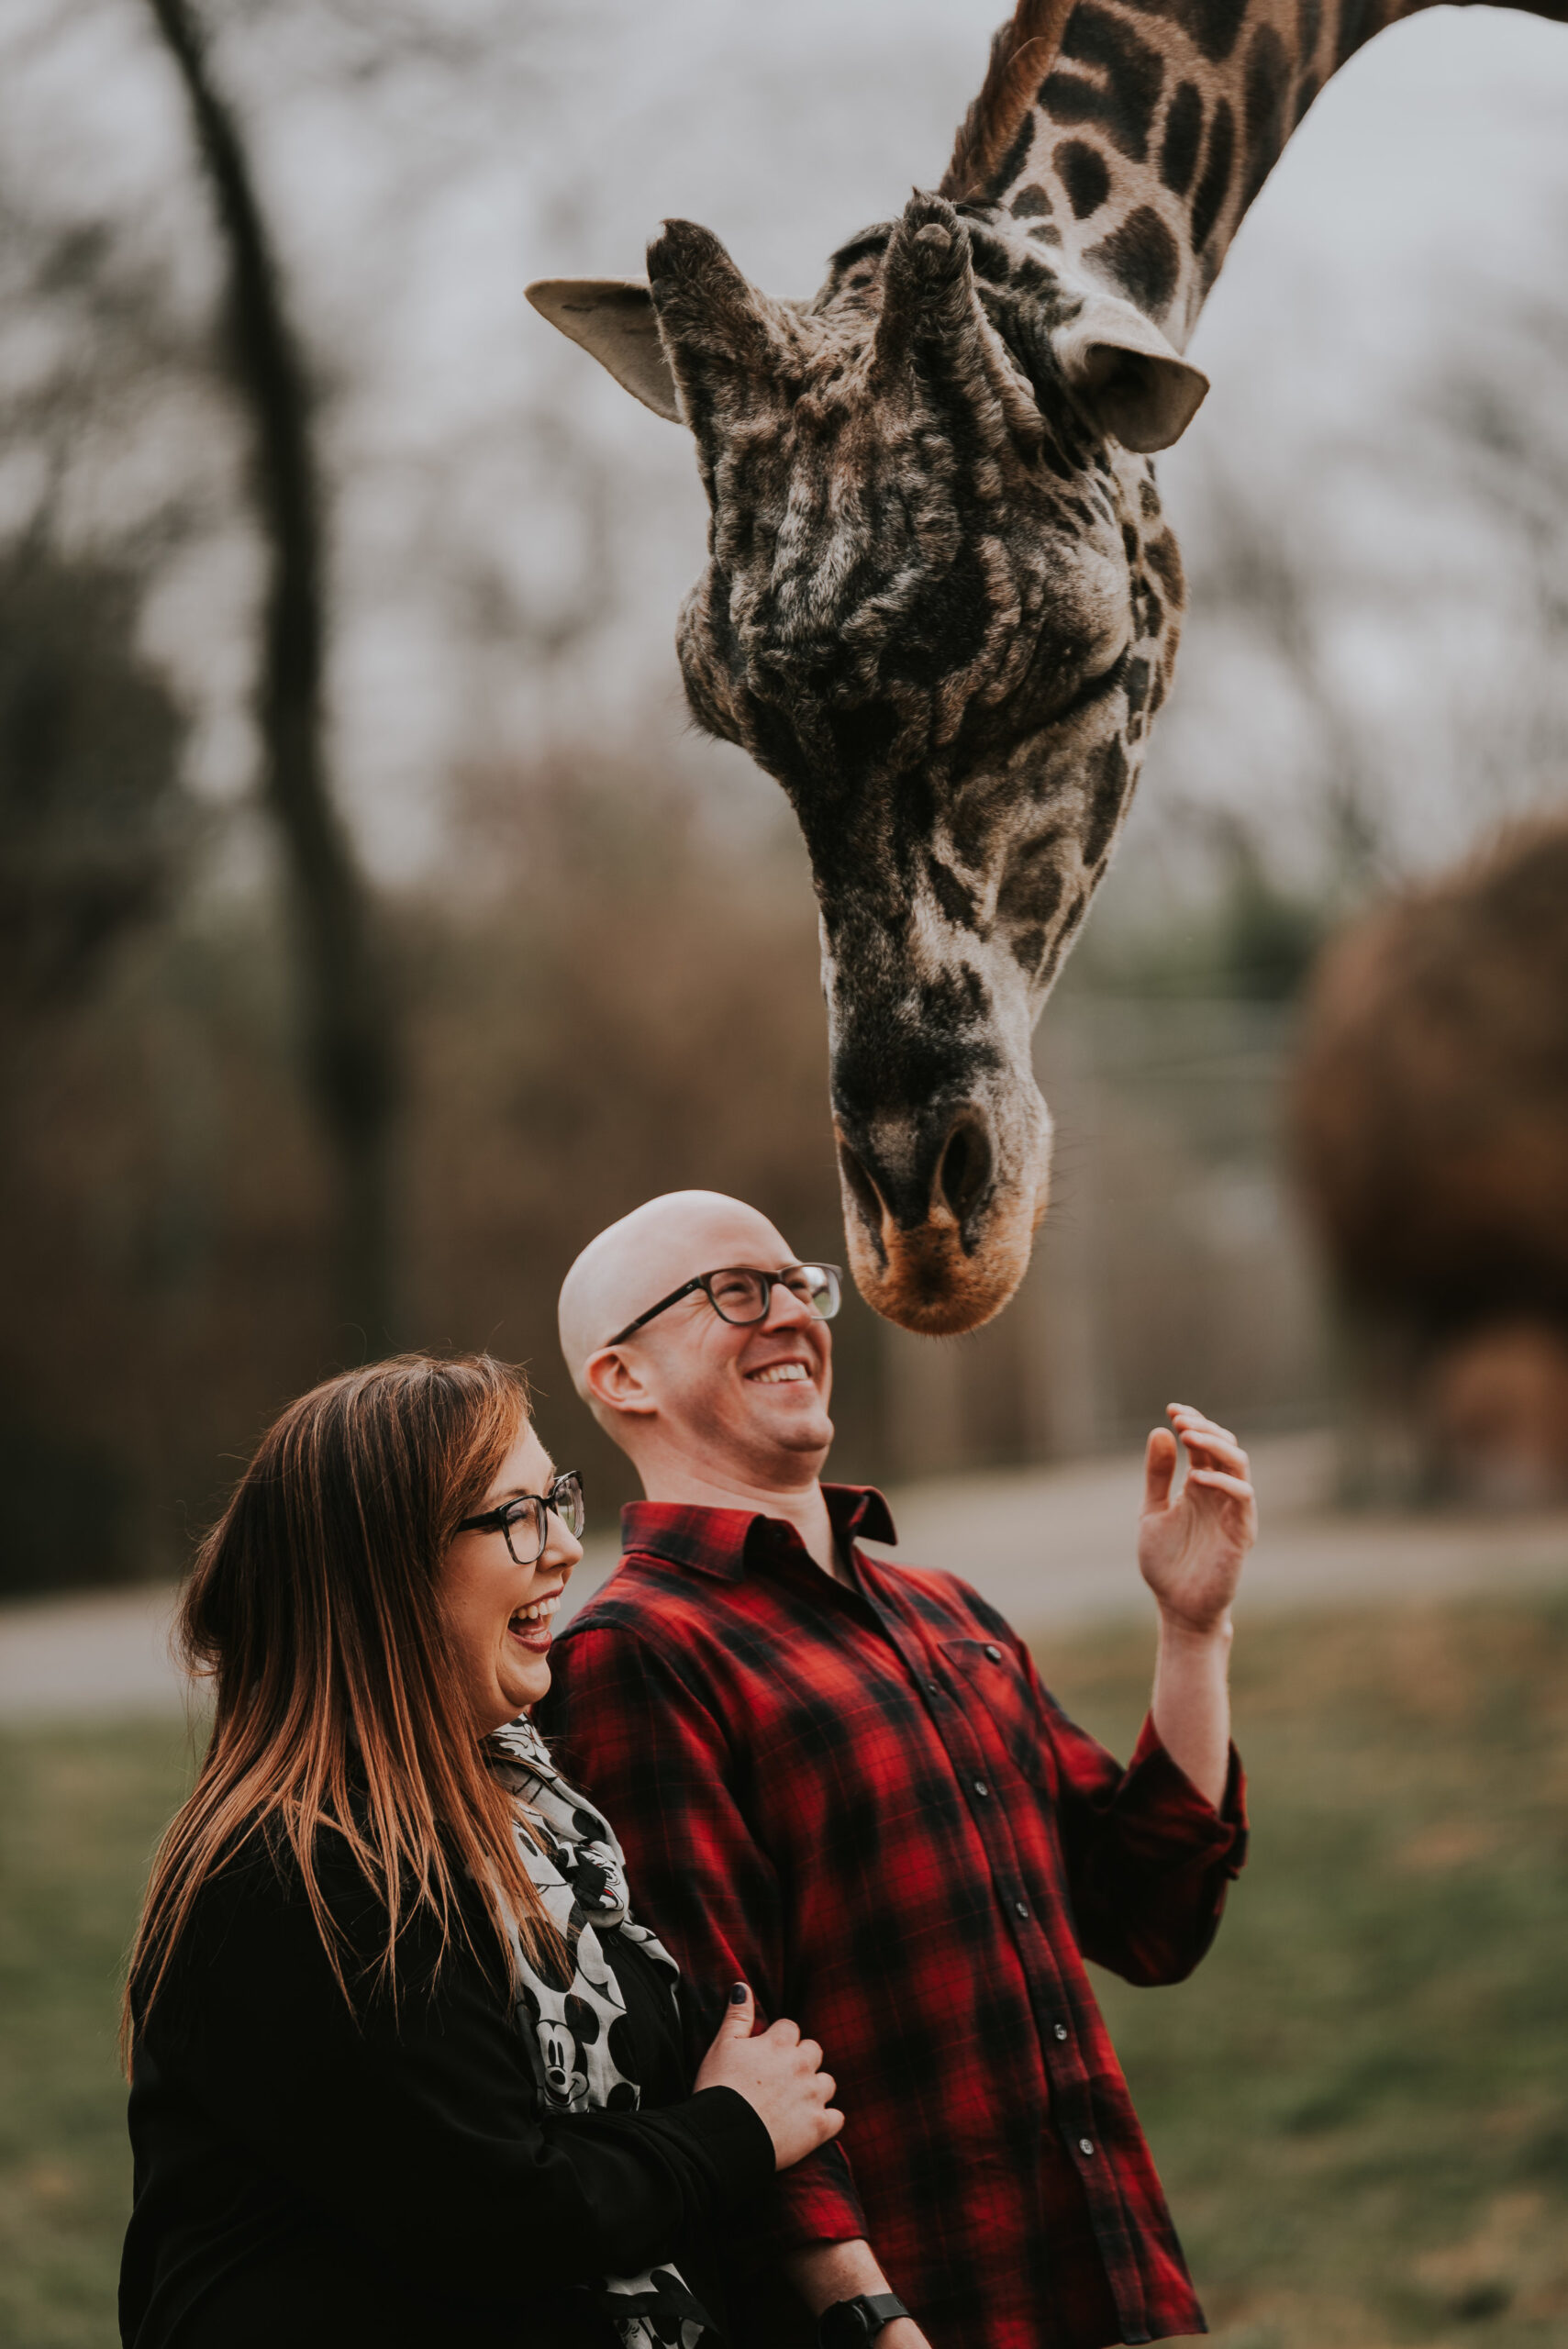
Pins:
<point x="752" y="1401"/>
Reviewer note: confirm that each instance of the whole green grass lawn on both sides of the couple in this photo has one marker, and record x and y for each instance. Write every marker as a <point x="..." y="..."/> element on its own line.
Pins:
<point x="1360" y="2104"/>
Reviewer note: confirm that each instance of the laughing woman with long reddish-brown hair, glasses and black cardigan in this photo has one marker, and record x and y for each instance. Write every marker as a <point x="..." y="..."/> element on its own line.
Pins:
<point x="405" y="2066"/>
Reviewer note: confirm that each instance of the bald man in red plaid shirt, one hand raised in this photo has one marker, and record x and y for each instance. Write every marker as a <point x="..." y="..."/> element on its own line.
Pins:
<point x="844" y="1784"/>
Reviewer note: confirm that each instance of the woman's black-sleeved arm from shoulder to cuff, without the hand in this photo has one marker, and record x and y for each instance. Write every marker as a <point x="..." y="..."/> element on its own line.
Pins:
<point x="421" y="2129"/>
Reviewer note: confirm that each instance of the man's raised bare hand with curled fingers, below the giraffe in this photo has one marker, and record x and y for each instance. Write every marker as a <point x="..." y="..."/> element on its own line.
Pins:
<point x="1191" y="1547"/>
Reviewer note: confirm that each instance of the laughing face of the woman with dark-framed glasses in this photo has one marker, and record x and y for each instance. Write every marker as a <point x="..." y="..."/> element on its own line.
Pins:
<point x="499" y="1613"/>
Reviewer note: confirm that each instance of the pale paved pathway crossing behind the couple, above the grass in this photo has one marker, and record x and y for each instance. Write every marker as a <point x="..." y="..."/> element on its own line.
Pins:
<point x="1050" y="1547"/>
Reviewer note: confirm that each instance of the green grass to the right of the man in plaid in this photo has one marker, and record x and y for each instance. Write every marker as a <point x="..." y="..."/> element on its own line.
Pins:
<point x="1360" y="2104"/>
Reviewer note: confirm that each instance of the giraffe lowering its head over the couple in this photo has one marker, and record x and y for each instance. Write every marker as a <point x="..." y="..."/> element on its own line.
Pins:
<point x="940" y="598"/>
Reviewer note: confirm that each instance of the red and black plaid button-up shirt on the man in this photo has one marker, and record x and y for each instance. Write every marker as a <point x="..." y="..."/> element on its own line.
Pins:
<point x="863" y="1803"/>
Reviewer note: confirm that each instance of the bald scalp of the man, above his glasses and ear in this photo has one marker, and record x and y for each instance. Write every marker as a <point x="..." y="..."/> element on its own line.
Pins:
<point x="651" y="1253"/>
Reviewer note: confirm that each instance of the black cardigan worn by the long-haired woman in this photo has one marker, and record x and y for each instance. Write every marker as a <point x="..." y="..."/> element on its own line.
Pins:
<point x="316" y="2179"/>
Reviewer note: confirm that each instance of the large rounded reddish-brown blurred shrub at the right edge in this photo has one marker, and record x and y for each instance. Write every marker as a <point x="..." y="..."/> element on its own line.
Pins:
<point x="1431" y="1110"/>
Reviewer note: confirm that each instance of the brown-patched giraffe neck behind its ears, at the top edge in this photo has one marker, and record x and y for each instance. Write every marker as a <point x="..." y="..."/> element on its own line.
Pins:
<point x="1158" y="126"/>
